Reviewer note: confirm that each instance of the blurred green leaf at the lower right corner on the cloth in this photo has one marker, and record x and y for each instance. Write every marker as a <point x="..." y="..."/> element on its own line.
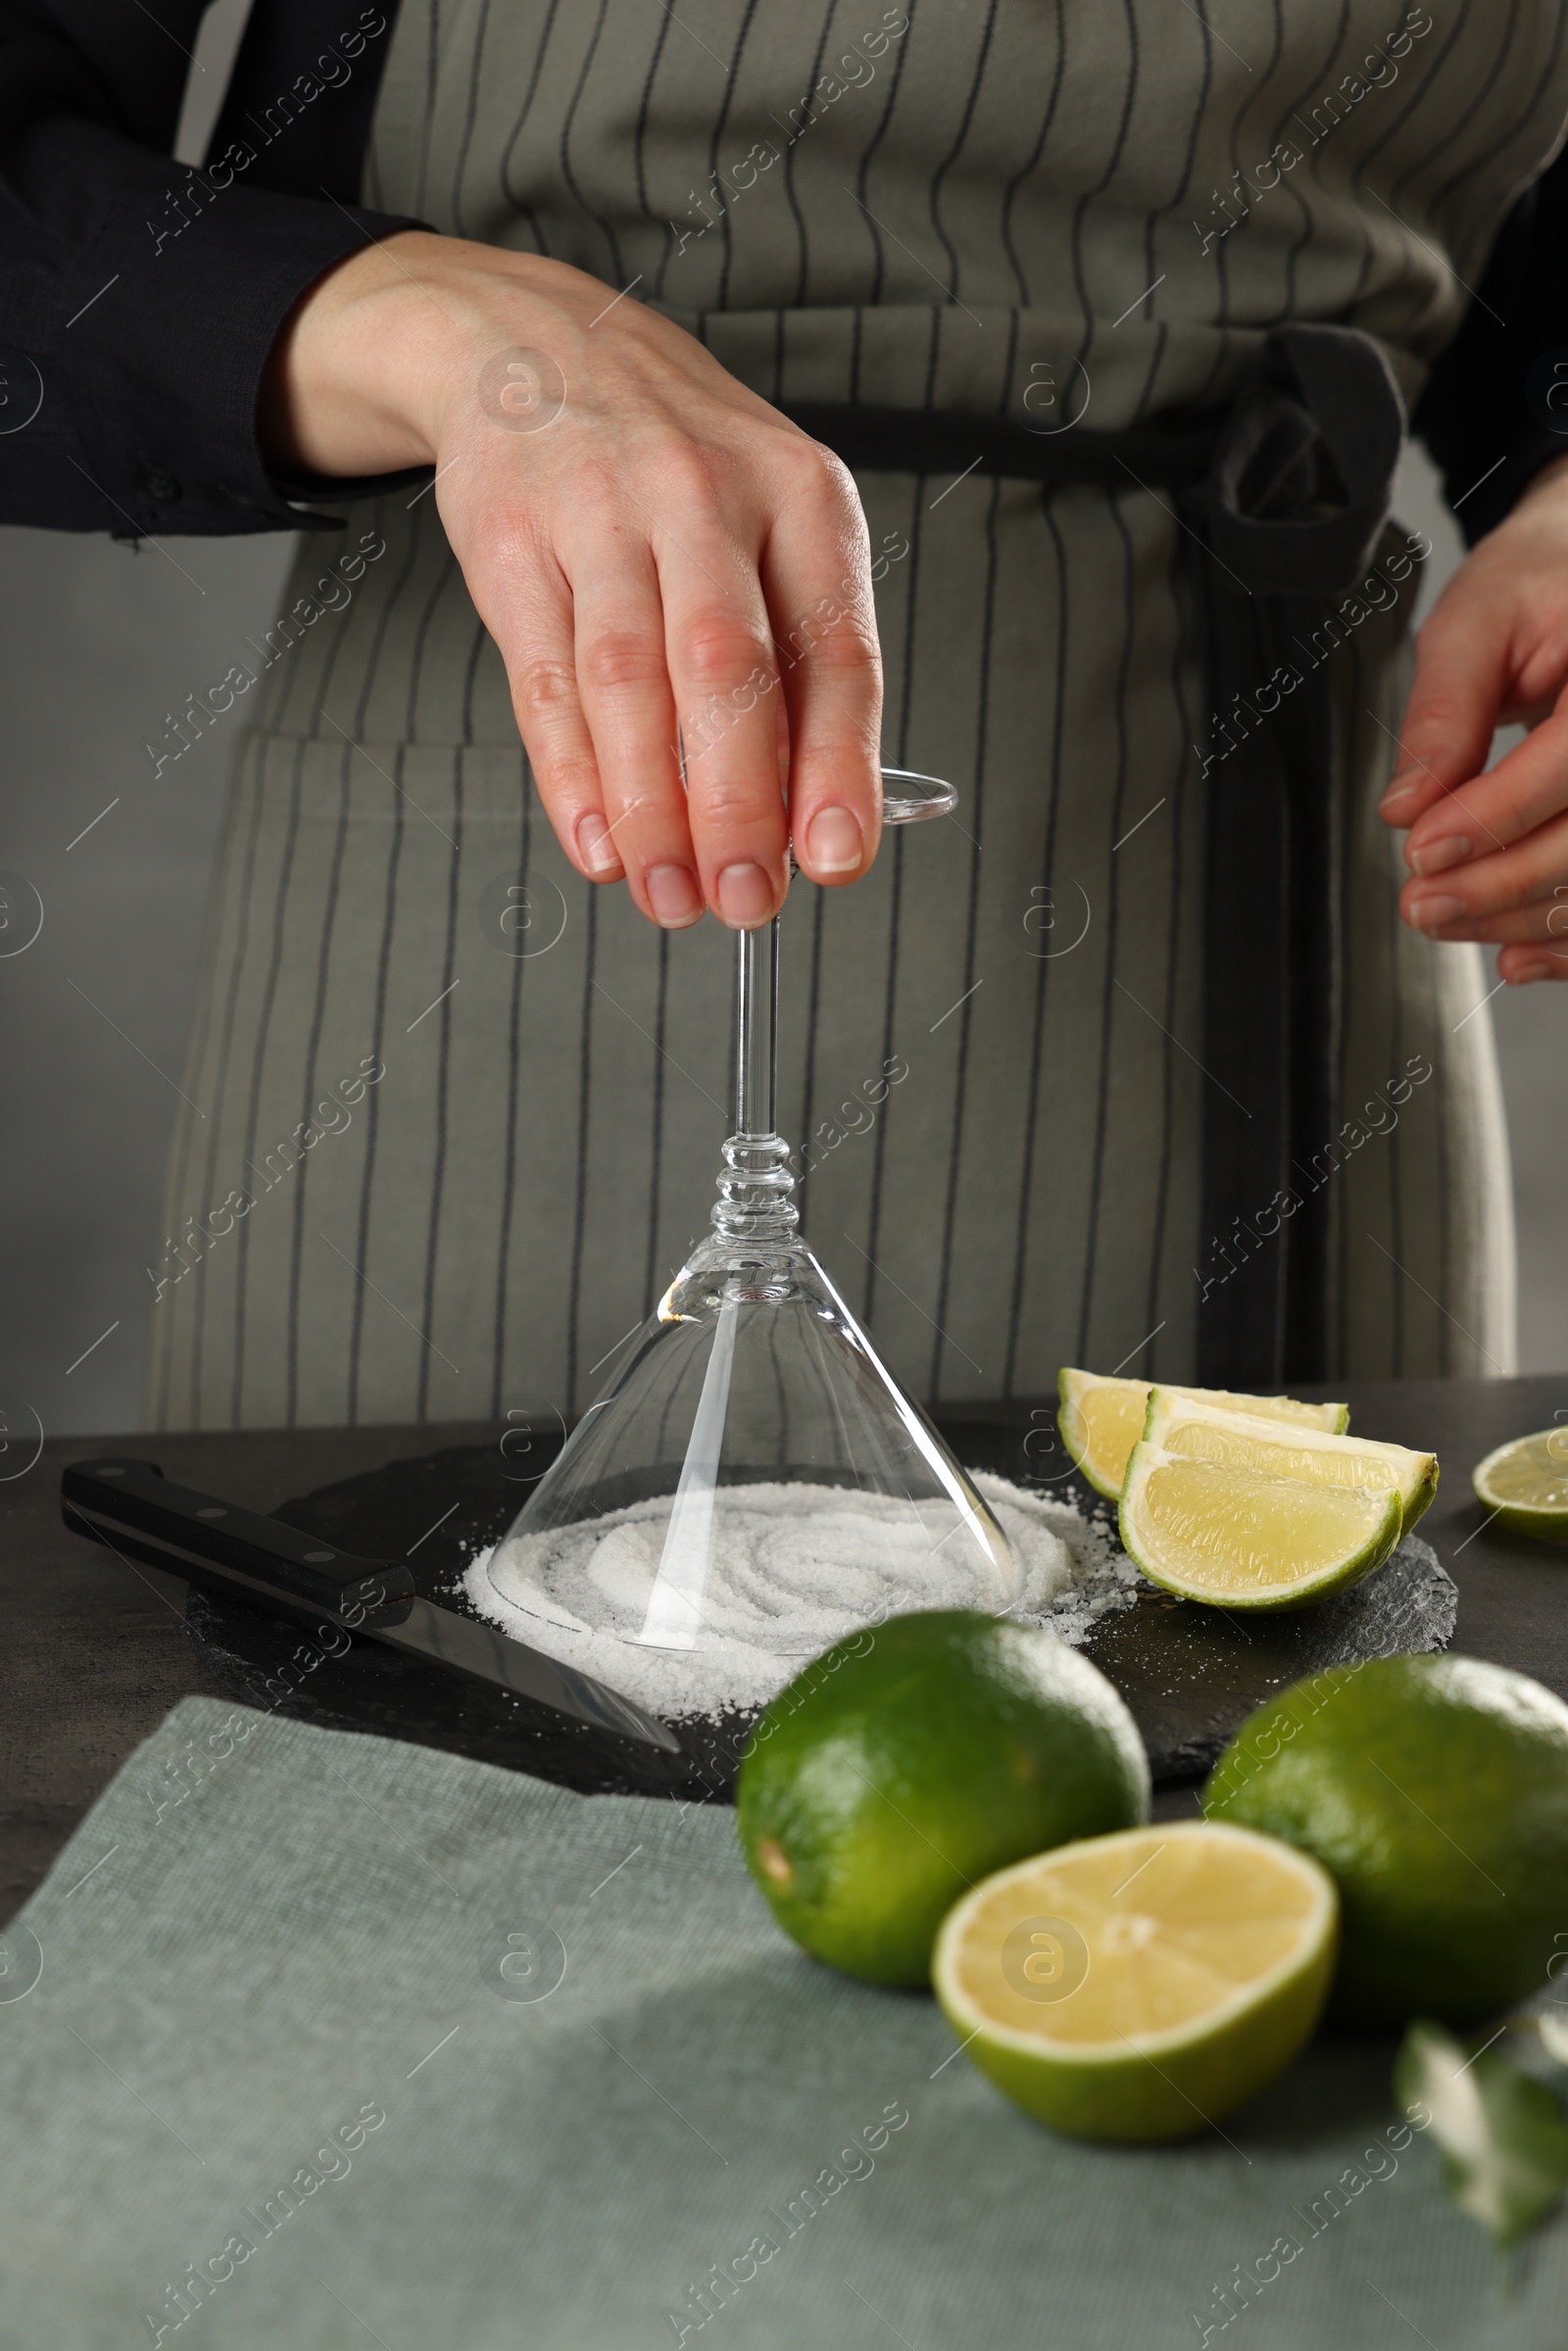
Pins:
<point x="1501" y="2134"/>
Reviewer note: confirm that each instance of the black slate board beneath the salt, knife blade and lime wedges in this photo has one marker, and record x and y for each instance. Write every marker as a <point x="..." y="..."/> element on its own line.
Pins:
<point x="1191" y="1675"/>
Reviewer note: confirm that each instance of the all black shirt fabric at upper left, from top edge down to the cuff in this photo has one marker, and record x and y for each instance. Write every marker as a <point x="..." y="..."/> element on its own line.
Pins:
<point x="140" y="300"/>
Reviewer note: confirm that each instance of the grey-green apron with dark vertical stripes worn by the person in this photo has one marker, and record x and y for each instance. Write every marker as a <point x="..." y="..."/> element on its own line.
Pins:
<point x="460" y="1111"/>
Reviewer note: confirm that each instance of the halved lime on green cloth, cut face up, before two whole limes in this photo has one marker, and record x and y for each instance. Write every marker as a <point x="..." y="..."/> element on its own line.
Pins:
<point x="1141" y="1985"/>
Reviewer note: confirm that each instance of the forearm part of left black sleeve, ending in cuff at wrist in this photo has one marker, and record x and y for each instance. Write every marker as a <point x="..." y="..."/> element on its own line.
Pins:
<point x="142" y="312"/>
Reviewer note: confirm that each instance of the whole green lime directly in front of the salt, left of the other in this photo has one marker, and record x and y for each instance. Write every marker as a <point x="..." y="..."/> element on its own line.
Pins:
<point x="913" y="1760"/>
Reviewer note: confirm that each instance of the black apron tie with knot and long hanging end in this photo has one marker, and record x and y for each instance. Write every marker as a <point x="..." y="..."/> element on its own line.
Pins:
<point x="1285" y="497"/>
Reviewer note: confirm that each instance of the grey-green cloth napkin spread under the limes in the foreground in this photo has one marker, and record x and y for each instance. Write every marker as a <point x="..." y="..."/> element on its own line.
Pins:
<point x="304" y="2068"/>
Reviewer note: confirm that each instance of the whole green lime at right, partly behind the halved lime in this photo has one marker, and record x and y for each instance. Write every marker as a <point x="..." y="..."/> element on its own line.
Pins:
<point x="1435" y="1793"/>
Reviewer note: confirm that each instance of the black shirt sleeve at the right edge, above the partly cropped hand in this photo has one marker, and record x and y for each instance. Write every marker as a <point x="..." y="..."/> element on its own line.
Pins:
<point x="1494" y="413"/>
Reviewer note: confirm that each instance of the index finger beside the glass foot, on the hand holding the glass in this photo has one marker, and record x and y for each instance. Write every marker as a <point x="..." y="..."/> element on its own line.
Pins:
<point x="817" y="577"/>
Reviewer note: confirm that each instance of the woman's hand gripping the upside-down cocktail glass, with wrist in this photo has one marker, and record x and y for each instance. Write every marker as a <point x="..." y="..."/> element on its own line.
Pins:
<point x="650" y="547"/>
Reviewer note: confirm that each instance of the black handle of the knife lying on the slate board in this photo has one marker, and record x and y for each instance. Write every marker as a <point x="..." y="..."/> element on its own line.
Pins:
<point x="133" y="1508"/>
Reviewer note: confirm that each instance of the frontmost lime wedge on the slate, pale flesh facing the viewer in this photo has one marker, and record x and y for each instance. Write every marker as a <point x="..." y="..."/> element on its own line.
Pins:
<point x="1219" y="1532"/>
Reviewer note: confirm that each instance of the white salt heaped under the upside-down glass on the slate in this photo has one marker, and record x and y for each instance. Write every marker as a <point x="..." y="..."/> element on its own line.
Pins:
<point x="796" y="1569"/>
